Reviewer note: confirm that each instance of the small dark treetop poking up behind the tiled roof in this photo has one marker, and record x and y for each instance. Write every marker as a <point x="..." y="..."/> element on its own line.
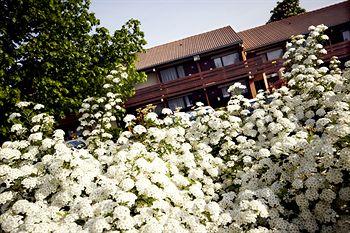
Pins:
<point x="285" y="9"/>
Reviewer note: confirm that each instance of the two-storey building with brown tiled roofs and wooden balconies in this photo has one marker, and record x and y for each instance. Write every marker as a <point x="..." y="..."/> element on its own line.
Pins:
<point x="202" y="67"/>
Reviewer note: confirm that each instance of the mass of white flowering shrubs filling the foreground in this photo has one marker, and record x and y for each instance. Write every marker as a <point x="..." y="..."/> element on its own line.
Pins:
<point x="278" y="165"/>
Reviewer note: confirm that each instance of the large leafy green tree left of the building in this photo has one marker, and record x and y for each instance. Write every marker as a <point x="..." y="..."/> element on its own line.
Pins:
<point x="55" y="53"/>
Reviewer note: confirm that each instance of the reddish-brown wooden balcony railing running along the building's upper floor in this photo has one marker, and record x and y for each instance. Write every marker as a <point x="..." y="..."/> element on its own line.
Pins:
<point x="221" y="75"/>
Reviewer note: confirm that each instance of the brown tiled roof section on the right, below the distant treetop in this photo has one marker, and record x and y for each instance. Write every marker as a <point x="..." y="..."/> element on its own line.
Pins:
<point x="282" y="30"/>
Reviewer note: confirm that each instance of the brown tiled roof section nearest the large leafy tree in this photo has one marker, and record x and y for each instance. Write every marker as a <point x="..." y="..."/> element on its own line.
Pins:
<point x="187" y="47"/>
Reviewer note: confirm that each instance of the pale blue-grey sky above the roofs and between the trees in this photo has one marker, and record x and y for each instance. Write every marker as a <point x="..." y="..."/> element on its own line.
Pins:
<point x="164" y="21"/>
